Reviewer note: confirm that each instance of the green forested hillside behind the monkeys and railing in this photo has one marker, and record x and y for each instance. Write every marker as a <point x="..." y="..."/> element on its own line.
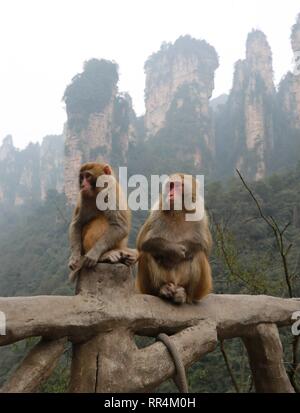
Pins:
<point x="34" y="253"/>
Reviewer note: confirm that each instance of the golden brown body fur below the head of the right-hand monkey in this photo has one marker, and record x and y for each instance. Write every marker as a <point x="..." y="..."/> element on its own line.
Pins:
<point x="187" y="280"/>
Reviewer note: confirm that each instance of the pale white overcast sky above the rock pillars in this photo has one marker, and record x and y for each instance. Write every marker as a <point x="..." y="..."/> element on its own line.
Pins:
<point x="43" y="44"/>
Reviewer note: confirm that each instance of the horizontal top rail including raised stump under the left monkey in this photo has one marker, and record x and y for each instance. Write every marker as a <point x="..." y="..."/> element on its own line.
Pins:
<point x="106" y="300"/>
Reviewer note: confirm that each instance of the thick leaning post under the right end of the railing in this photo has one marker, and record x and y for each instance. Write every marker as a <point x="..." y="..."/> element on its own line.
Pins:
<point x="266" y="359"/>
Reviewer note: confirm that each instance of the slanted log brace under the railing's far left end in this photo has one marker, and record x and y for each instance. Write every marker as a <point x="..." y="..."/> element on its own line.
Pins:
<point x="36" y="367"/>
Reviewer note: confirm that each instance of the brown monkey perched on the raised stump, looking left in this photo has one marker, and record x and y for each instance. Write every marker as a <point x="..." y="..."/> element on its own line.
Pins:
<point x="98" y="235"/>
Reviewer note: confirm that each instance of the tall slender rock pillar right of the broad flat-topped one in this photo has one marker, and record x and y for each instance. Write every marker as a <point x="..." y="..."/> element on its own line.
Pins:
<point x="245" y="124"/>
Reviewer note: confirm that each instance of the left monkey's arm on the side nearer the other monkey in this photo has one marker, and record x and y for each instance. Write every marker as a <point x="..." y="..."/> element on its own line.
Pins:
<point x="118" y="229"/>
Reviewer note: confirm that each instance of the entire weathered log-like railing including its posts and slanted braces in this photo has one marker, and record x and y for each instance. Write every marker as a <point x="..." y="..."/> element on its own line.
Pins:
<point x="106" y="312"/>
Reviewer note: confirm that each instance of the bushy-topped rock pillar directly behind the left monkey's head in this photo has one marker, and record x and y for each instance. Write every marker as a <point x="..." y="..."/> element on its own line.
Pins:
<point x="100" y="121"/>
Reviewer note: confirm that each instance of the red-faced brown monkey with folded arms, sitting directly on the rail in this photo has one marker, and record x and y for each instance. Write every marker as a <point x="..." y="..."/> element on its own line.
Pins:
<point x="173" y="261"/>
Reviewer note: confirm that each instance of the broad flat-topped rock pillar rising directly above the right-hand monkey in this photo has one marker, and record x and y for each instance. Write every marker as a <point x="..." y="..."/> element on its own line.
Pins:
<point x="179" y="84"/>
